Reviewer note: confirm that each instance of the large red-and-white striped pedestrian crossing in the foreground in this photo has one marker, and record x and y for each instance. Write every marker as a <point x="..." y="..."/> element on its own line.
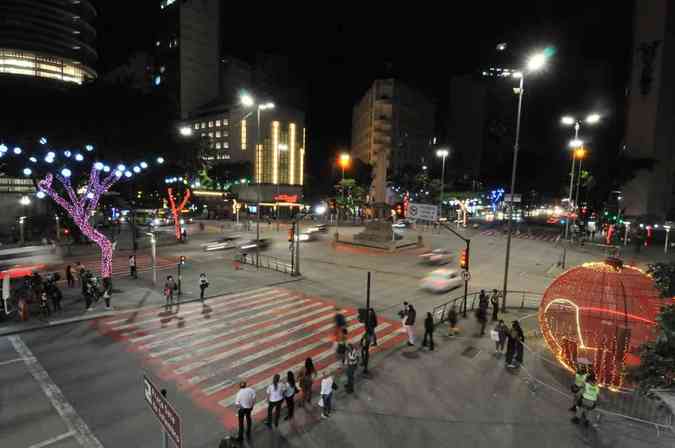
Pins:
<point x="207" y="349"/>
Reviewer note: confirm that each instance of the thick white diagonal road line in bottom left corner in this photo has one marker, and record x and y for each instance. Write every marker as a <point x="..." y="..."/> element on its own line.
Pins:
<point x="73" y="421"/>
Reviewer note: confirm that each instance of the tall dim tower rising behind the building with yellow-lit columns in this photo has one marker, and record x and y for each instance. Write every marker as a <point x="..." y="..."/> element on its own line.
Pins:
<point x="187" y="51"/>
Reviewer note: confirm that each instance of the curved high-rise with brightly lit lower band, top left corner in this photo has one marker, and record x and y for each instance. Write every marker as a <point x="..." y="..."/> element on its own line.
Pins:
<point x="48" y="40"/>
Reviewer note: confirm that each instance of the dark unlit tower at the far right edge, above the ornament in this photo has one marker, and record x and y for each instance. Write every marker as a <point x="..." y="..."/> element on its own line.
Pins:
<point x="651" y="110"/>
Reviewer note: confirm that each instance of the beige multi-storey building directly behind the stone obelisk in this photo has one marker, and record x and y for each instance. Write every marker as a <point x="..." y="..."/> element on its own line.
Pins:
<point x="392" y="128"/>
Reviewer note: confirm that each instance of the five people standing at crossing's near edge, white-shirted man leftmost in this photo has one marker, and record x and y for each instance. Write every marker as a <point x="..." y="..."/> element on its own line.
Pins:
<point x="280" y="392"/>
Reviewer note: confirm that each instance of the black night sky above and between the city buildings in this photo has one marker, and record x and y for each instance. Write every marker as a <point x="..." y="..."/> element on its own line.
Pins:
<point x="336" y="51"/>
